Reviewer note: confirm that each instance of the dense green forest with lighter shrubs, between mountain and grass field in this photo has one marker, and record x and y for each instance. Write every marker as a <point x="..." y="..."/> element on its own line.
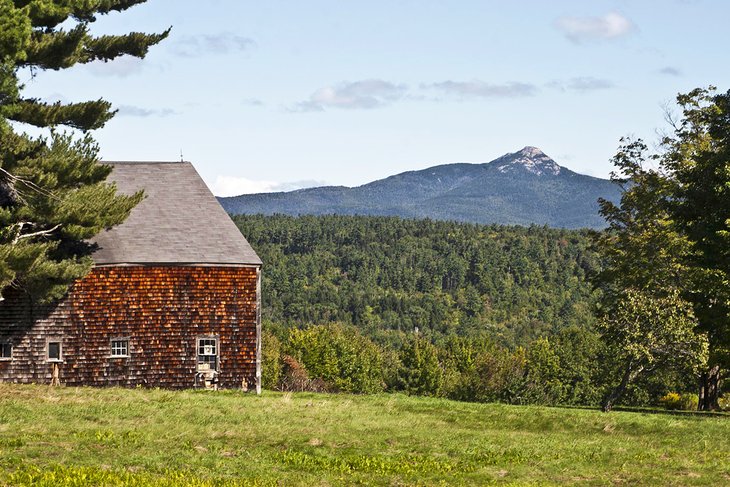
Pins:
<point x="469" y="312"/>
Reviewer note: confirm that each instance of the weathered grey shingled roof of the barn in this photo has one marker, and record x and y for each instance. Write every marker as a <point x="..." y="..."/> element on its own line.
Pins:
<point x="178" y="222"/>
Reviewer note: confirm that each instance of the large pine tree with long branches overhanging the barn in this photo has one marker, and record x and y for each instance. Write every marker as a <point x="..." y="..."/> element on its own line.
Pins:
<point x="52" y="191"/>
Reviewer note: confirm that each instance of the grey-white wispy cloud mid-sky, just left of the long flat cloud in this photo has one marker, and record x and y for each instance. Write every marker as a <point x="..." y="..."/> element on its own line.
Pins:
<point x="364" y="94"/>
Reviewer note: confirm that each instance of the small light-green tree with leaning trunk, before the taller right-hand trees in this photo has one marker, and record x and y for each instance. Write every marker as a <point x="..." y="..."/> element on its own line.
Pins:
<point x="647" y="333"/>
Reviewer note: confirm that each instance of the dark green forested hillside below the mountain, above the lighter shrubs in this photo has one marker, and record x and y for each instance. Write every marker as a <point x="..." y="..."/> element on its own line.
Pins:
<point x="386" y="274"/>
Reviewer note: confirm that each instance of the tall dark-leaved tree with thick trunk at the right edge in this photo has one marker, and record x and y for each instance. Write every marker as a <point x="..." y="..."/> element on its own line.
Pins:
<point x="697" y="156"/>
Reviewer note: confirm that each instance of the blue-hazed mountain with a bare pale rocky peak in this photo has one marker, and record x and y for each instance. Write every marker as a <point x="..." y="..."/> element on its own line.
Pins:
<point x="520" y="188"/>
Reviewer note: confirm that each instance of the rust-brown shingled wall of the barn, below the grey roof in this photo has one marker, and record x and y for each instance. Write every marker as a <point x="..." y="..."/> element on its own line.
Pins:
<point x="161" y="310"/>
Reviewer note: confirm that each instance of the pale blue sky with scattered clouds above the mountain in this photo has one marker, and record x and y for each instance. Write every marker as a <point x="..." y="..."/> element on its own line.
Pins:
<point x="283" y="94"/>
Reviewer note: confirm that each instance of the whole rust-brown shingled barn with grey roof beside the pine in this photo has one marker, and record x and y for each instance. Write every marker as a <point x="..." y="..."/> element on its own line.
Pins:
<point x="173" y="299"/>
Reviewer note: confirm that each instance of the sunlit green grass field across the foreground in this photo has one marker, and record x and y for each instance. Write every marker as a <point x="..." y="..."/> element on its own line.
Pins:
<point x="67" y="436"/>
